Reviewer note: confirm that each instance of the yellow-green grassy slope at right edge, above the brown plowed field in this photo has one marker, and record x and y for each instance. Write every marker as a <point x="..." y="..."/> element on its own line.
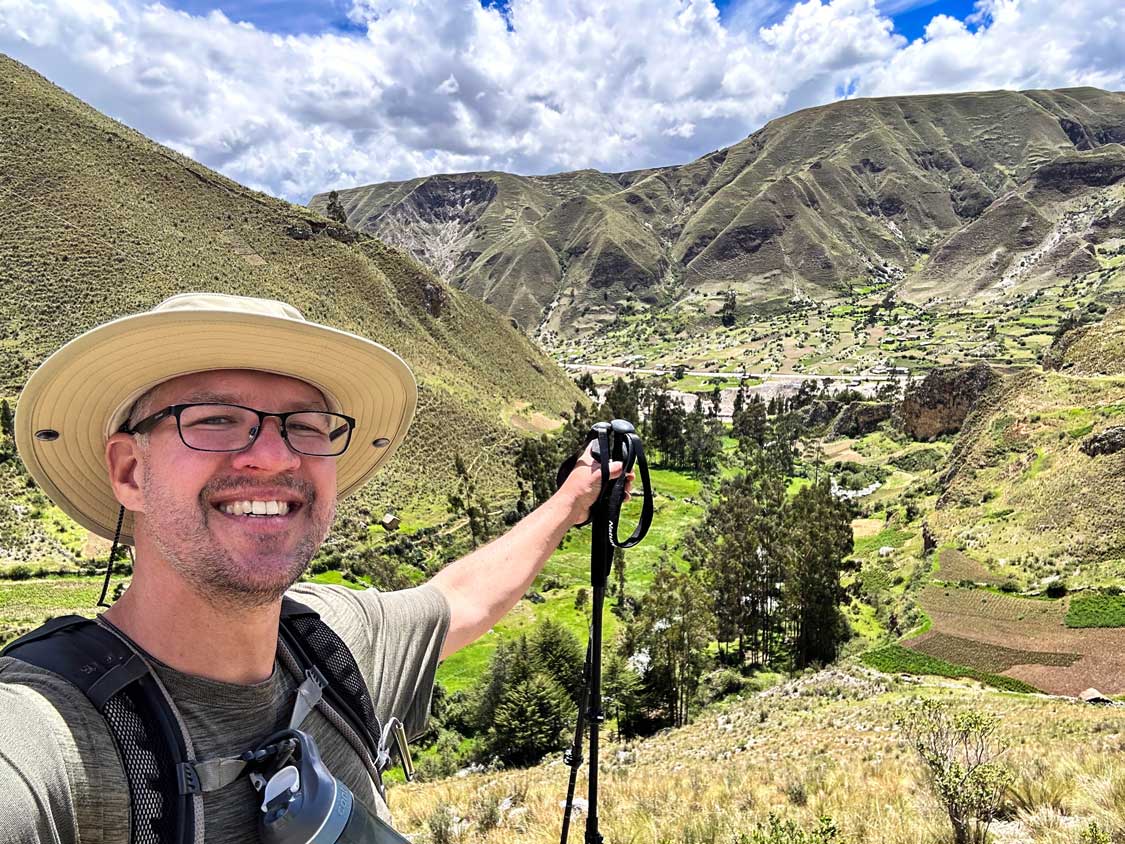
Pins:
<point x="1021" y="493"/>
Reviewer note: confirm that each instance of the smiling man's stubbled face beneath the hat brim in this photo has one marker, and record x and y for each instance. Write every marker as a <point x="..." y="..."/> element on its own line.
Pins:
<point x="238" y="559"/>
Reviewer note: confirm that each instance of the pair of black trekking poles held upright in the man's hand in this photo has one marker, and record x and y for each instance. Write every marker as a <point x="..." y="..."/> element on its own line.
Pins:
<point x="616" y="441"/>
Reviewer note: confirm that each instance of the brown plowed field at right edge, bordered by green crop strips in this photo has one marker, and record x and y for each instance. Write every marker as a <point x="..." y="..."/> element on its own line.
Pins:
<point x="1023" y="639"/>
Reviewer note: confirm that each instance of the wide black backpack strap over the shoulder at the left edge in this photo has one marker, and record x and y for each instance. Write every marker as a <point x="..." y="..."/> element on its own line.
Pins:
<point x="141" y="720"/>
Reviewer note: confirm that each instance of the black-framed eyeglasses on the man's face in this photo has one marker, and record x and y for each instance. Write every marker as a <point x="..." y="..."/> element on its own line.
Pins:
<point x="235" y="428"/>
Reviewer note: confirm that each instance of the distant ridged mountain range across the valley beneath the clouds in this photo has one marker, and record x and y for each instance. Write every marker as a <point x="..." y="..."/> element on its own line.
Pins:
<point x="943" y="202"/>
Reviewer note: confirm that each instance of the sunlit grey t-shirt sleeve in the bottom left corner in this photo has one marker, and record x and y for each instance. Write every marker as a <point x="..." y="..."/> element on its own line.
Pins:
<point x="47" y="788"/>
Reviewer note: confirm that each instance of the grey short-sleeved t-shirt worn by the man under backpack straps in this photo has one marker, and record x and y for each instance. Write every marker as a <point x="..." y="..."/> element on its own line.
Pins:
<point x="61" y="779"/>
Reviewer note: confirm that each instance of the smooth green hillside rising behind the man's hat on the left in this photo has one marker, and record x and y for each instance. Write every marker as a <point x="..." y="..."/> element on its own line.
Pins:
<point x="96" y="221"/>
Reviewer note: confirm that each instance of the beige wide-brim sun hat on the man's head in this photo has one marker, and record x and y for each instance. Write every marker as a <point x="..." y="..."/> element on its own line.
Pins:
<point x="83" y="394"/>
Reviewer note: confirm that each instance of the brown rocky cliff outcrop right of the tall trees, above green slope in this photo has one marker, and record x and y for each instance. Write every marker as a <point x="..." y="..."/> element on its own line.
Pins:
<point x="943" y="400"/>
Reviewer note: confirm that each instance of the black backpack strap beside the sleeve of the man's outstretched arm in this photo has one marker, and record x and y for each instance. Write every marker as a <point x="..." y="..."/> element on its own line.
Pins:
<point x="317" y="647"/>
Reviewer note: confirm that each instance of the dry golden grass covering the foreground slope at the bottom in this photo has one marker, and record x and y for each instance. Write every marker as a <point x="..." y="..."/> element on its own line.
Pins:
<point x="824" y="746"/>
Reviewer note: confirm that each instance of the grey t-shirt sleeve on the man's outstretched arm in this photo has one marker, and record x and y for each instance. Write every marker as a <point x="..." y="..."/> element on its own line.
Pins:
<point x="397" y="639"/>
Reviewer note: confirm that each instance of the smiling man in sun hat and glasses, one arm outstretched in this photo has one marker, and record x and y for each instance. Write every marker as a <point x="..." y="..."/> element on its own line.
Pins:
<point x="215" y="434"/>
